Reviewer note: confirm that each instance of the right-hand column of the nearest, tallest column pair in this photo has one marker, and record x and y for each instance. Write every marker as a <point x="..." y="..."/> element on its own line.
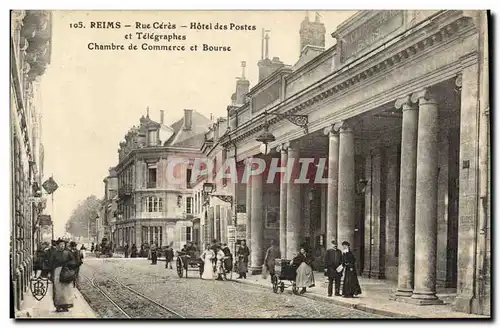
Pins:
<point x="424" y="291"/>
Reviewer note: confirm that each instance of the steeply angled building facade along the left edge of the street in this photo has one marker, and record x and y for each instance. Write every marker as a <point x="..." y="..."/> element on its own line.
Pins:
<point x="30" y="47"/>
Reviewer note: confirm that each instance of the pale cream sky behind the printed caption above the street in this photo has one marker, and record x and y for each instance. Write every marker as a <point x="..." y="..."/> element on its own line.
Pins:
<point x="89" y="99"/>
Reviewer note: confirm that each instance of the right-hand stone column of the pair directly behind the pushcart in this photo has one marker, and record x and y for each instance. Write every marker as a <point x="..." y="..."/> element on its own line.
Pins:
<point x="294" y="208"/>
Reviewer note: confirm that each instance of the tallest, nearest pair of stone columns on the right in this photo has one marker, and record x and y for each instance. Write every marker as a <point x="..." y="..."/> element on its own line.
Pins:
<point x="418" y="198"/>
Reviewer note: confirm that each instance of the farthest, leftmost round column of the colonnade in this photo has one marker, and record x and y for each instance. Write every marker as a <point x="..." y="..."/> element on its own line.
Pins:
<point x="257" y="237"/>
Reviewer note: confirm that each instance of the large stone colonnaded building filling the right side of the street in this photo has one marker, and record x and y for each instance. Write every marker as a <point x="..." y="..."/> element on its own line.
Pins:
<point x="394" y="123"/>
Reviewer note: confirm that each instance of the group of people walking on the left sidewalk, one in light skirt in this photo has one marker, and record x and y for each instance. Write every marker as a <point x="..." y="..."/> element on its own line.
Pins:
<point x="60" y="262"/>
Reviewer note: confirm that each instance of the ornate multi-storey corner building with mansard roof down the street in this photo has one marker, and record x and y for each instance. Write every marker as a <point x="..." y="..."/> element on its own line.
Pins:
<point x="151" y="206"/>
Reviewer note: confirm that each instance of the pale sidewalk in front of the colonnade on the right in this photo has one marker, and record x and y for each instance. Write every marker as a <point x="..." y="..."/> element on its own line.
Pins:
<point x="376" y="298"/>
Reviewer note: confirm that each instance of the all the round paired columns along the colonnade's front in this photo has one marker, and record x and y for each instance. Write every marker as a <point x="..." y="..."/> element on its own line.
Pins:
<point x="418" y="197"/>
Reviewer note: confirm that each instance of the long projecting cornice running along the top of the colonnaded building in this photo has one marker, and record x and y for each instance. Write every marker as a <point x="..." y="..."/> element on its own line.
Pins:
<point x="352" y="74"/>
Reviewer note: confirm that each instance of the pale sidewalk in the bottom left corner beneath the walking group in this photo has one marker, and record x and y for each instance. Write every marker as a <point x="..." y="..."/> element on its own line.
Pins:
<point x="44" y="309"/>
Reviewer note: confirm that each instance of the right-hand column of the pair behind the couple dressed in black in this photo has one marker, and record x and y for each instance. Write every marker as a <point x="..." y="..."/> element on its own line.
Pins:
<point x="346" y="183"/>
